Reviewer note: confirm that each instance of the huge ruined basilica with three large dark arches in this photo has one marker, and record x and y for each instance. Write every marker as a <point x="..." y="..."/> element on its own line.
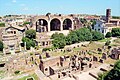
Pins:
<point x="47" y="23"/>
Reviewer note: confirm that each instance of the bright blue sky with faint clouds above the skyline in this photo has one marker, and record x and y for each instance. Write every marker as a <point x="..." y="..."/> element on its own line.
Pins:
<point x="59" y="6"/>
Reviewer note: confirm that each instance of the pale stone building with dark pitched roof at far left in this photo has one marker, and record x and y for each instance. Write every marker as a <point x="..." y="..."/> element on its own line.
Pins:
<point x="11" y="38"/>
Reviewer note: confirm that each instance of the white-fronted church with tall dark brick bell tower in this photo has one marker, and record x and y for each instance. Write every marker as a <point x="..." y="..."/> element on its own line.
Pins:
<point x="106" y="23"/>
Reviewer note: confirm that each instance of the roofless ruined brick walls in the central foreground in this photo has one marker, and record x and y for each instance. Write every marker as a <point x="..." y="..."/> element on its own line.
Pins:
<point x="63" y="65"/>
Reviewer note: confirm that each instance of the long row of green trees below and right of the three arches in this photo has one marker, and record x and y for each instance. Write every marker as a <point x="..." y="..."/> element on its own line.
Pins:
<point x="82" y="34"/>
